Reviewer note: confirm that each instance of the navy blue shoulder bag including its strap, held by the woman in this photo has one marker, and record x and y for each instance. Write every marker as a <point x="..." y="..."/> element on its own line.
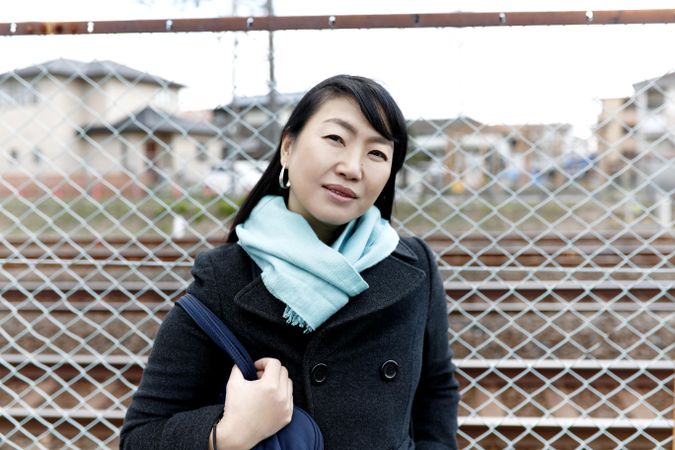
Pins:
<point x="302" y="433"/>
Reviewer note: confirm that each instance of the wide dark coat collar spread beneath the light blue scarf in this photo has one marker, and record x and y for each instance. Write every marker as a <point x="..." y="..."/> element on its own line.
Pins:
<point x="389" y="281"/>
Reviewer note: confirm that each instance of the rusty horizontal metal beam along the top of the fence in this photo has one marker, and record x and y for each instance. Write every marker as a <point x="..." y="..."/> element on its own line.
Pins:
<point x="279" y="23"/>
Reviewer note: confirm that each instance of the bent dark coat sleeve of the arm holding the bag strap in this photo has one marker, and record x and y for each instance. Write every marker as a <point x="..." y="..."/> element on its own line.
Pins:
<point x="176" y="404"/>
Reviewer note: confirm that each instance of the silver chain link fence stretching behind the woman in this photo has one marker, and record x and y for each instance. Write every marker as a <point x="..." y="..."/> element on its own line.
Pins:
<point x="556" y="246"/>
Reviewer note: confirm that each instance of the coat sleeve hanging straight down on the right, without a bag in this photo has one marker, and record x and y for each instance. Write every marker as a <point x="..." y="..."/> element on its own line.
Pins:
<point x="435" y="404"/>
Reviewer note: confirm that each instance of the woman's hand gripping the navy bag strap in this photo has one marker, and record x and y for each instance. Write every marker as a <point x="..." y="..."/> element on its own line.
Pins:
<point x="255" y="410"/>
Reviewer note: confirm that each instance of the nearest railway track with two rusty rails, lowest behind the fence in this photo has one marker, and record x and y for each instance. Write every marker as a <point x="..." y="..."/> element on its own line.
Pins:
<point x="82" y="390"/>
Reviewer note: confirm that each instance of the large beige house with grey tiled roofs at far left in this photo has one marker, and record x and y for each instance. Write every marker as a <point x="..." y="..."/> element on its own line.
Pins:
<point x="68" y="126"/>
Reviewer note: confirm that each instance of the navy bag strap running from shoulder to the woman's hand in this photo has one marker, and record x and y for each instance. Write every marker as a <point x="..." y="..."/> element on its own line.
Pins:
<point x="220" y="334"/>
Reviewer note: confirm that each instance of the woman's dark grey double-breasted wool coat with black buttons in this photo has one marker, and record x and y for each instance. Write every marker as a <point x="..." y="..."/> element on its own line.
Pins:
<point x="376" y="375"/>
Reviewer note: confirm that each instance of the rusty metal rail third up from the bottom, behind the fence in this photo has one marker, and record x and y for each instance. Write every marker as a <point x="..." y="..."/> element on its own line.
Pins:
<point x="480" y="296"/>
